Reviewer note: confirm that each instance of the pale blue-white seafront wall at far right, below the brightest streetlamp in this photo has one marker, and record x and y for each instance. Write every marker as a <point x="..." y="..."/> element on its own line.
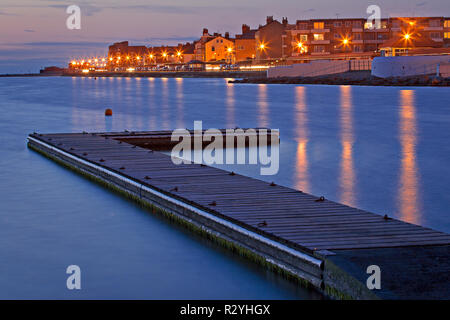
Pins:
<point x="402" y="66"/>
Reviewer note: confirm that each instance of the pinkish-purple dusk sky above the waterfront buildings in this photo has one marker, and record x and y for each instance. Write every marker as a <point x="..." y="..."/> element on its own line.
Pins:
<point x="34" y="33"/>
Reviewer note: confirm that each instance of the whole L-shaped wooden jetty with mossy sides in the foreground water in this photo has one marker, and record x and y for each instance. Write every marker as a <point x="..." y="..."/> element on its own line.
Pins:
<point x="327" y="244"/>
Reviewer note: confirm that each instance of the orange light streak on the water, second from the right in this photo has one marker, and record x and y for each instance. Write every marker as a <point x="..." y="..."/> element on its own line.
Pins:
<point x="347" y="174"/>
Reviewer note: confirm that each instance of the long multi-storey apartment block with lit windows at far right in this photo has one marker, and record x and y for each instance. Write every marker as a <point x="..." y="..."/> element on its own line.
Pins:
<point x="356" y="38"/>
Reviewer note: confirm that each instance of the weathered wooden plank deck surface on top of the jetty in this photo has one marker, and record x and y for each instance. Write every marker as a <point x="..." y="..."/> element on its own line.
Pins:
<point x="289" y="215"/>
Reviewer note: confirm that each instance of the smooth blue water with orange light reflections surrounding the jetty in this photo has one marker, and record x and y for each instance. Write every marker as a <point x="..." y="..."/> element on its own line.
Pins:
<point x="381" y="149"/>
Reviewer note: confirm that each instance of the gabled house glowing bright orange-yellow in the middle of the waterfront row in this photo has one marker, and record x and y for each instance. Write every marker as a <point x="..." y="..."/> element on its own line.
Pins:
<point x="220" y="49"/>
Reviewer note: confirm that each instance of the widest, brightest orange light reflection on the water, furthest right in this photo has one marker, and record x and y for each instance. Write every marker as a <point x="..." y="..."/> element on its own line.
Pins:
<point x="408" y="194"/>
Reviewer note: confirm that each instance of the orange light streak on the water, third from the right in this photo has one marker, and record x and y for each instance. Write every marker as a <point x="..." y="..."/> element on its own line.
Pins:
<point x="301" y="137"/>
